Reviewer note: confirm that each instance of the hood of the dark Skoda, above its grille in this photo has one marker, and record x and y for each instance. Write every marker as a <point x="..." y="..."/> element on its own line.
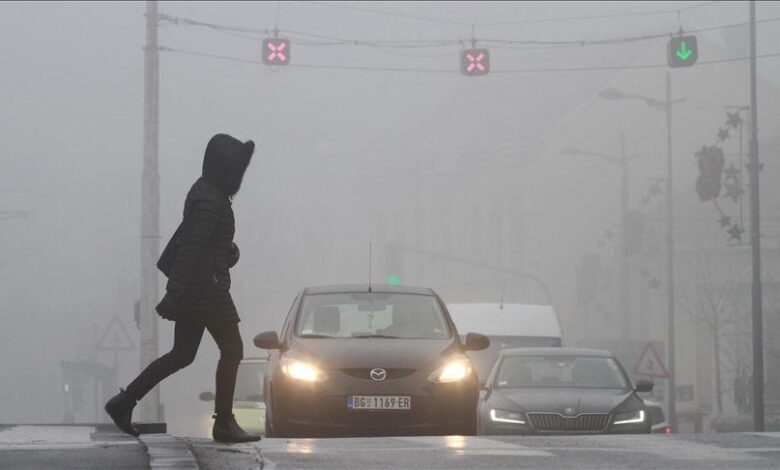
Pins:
<point x="557" y="400"/>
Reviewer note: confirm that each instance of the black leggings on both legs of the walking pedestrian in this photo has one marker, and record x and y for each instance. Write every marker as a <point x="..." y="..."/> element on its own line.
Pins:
<point x="185" y="344"/>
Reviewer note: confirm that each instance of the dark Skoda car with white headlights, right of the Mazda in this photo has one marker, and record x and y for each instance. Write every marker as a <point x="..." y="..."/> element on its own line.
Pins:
<point x="561" y="391"/>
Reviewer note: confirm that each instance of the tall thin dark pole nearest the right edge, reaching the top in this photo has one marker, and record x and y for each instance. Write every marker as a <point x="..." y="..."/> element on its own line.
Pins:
<point x="754" y="167"/>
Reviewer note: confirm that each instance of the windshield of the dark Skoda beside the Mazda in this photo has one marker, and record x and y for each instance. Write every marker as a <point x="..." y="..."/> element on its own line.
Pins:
<point x="560" y="372"/>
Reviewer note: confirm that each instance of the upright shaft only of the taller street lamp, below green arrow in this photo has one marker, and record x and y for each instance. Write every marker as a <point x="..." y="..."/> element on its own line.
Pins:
<point x="671" y="399"/>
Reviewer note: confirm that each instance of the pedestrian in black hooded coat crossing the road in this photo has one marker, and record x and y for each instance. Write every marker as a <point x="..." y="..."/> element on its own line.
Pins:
<point x="197" y="295"/>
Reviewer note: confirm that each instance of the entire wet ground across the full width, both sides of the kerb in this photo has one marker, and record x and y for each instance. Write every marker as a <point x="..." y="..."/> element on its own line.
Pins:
<point x="88" y="447"/>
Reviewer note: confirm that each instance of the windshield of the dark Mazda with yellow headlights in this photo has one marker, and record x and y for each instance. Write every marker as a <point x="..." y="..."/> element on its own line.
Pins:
<point x="372" y="315"/>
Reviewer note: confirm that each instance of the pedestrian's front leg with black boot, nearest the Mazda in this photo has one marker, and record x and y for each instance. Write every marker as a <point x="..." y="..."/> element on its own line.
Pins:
<point x="231" y="350"/>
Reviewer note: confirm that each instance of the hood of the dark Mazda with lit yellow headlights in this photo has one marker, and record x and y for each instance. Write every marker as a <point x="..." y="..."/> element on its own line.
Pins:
<point x="375" y="352"/>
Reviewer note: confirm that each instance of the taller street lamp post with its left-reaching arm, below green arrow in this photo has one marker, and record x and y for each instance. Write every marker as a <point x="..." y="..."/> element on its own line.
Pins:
<point x="666" y="106"/>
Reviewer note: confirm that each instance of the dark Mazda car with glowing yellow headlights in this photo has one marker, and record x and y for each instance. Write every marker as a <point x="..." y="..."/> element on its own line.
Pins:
<point x="355" y="361"/>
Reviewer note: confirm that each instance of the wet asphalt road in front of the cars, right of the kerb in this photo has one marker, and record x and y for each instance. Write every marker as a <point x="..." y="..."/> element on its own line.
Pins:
<point x="689" y="452"/>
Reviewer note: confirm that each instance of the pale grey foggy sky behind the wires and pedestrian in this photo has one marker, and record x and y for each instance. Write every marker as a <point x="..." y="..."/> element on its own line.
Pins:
<point x="335" y="150"/>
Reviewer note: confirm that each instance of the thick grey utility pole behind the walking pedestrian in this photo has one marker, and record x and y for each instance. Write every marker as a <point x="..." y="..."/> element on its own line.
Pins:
<point x="150" y="211"/>
